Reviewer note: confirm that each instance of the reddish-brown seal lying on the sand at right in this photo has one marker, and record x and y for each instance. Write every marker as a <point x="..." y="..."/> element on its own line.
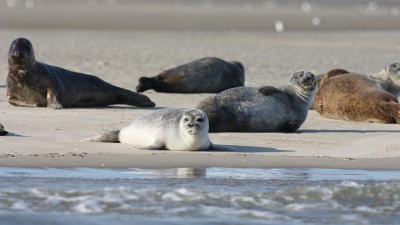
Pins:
<point x="354" y="97"/>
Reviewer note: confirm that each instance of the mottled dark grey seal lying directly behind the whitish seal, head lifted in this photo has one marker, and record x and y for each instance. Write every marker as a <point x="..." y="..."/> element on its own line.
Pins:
<point x="262" y="109"/>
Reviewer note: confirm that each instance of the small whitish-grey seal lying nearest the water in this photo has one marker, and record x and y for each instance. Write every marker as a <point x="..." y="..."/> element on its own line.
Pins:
<point x="170" y="129"/>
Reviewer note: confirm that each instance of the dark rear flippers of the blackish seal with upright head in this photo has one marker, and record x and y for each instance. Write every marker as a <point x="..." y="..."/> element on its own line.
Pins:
<point x="132" y="98"/>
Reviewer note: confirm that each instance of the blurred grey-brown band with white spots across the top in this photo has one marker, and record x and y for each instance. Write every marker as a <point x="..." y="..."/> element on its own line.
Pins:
<point x="225" y="15"/>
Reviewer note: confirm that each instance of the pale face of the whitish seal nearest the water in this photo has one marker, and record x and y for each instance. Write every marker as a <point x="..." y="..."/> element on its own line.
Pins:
<point x="194" y="122"/>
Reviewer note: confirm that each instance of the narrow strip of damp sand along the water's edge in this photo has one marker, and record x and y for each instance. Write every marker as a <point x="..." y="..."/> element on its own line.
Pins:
<point x="195" y="160"/>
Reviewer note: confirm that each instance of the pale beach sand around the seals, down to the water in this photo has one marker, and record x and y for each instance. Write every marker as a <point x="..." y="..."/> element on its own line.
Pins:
<point x="41" y="137"/>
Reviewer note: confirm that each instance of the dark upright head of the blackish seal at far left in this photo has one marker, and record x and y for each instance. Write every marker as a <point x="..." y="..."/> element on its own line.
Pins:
<point x="21" y="55"/>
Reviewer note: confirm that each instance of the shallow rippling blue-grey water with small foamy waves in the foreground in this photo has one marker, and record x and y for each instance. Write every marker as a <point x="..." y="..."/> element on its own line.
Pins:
<point x="198" y="196"/>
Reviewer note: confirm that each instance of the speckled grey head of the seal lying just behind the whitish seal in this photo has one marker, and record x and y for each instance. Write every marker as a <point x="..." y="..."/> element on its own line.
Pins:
<point x="303" y="80"/>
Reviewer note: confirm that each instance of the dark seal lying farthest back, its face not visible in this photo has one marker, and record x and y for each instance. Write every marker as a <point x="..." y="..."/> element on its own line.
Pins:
<point x="206" y="75"/>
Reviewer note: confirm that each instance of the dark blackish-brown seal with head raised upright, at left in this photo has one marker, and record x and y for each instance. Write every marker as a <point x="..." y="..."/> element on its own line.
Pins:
<point x="34" y="84"/>
